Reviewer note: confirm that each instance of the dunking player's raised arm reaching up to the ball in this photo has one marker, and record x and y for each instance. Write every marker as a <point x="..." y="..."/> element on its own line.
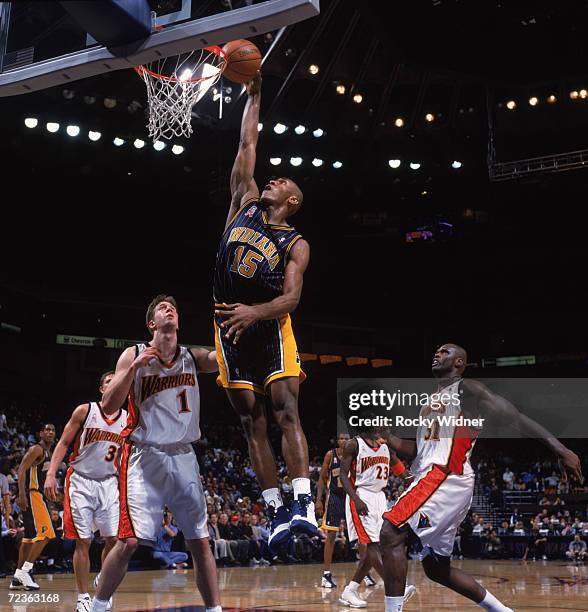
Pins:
<point x="243" y="185"/>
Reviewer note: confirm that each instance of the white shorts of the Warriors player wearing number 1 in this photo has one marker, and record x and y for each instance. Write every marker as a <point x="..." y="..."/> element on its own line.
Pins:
<point x="153" y="477"/>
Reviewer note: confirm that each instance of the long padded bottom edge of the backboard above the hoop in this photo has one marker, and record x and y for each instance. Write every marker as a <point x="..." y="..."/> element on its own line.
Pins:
<point x="181" y="38"/>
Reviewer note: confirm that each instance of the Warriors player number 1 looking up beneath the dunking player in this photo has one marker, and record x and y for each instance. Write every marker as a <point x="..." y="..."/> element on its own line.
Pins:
<point x="158" y="464"/>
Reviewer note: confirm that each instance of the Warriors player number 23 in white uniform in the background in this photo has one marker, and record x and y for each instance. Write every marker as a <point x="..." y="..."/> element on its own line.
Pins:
<point x="365" y="468"/>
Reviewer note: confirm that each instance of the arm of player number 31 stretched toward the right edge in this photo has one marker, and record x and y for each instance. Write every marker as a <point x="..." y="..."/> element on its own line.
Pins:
<point x="495" y="406"/>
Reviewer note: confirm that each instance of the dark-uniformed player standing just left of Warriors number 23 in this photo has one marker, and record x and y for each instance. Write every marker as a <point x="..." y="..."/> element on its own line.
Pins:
<point x="329" y="483"/>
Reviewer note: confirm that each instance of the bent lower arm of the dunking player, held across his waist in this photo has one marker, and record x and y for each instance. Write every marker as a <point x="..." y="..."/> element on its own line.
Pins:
<point x="241" y="316"/>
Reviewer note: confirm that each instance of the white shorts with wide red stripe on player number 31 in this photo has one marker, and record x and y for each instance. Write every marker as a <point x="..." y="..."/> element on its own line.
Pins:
<point x="434" y="506"/>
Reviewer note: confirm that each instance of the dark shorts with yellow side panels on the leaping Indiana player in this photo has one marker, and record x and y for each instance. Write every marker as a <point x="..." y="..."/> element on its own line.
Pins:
<point x="265" y="352"/>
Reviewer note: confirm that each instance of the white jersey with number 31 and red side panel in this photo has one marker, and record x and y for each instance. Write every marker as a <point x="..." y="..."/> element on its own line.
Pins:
<point x="447" y="446"/>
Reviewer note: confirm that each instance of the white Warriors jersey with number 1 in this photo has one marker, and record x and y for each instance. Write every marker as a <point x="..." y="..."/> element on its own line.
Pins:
<point x="164" y="402"/>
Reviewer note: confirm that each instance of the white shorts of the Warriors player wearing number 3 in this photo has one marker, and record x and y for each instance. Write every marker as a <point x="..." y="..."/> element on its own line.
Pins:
<point x="90" y="504"/>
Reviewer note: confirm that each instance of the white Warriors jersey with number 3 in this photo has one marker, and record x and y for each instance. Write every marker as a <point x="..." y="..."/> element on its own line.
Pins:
<point x="97" y="443"/>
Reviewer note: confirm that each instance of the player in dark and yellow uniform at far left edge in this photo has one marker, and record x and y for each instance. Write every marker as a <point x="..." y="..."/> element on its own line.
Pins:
<point x="37" y="522"/>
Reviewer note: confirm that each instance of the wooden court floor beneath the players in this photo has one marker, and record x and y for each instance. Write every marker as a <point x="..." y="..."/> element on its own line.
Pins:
<point x="542" y="585"/>
